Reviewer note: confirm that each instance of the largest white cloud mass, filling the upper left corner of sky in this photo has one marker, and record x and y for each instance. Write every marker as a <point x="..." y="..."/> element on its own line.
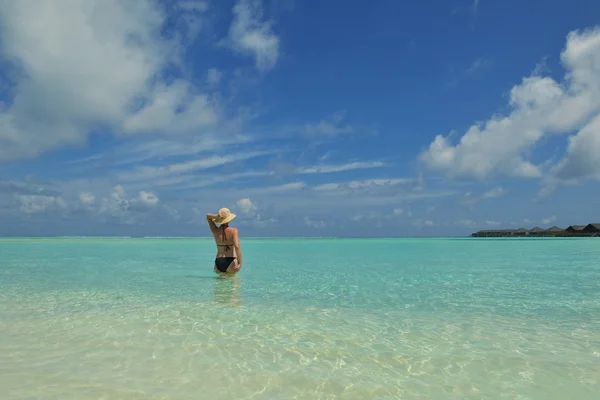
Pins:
<point x="93" y="63"/>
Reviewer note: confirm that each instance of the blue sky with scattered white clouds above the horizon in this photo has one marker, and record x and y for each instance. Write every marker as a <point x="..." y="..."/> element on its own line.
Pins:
<point x="306" y="118"/>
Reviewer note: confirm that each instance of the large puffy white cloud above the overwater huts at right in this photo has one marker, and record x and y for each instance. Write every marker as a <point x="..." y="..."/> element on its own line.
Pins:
<point x="540" y="106"/>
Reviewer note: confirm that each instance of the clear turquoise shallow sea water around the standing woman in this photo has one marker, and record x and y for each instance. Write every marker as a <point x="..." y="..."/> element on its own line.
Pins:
<point x="305" y="319"/>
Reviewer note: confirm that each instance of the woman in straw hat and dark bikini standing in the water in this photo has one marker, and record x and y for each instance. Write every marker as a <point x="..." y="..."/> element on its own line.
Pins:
<point x="228" y="261"/>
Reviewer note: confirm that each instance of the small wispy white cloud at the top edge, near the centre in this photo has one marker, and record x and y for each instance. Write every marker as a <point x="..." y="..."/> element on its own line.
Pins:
<point x="248" y="34"/>
